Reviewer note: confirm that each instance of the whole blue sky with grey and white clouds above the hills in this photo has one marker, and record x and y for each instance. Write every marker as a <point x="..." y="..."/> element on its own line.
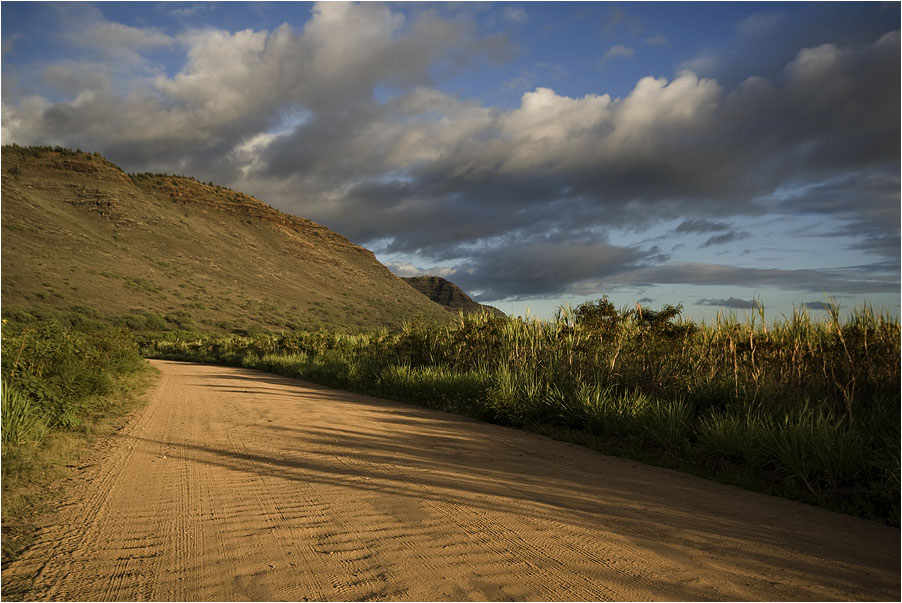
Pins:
<point x="536" y="154"/>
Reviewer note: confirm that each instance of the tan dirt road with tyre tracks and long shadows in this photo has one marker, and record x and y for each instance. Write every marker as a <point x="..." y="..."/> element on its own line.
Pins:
<point x="237" y="485"/>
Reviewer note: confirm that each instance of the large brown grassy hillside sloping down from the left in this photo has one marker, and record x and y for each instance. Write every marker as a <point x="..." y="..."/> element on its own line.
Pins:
<point x="77" y="231"/>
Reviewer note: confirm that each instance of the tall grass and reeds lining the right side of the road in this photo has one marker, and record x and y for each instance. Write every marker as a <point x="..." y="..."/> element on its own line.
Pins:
<point x="805" y="409"/>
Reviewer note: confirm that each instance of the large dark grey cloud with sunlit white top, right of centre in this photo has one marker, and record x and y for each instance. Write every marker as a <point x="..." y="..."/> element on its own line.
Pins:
<point x="719" y="155"/>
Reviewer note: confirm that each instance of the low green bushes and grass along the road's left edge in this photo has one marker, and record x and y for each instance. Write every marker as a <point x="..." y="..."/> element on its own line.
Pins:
<point x="60" y="386"/>
